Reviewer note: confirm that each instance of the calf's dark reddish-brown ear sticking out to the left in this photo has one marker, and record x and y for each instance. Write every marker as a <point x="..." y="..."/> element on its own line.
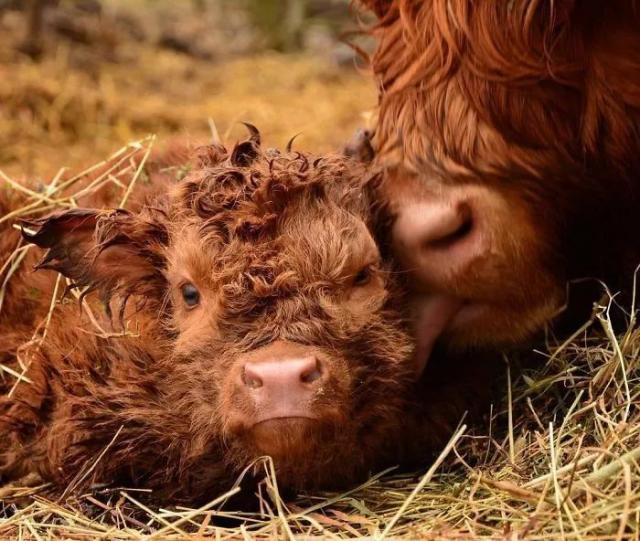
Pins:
<point x="112" y="252"/>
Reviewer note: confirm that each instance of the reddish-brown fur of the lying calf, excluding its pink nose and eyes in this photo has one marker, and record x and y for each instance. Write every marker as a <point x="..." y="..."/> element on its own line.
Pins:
<point x="273" y="243"/>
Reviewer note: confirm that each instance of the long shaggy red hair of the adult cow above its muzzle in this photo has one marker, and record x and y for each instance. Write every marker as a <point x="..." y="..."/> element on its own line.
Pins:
<point x="538" y="72"/>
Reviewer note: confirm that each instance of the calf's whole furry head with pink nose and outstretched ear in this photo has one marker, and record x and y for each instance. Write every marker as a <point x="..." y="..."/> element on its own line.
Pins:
<point x="280" y="320"/>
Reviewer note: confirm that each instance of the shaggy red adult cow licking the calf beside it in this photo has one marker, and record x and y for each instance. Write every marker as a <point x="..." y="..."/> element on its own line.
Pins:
<point x="510" y="134"/>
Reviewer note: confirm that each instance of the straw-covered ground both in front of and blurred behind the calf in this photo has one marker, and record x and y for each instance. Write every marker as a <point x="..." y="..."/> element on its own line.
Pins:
<point x="559" y="454"/>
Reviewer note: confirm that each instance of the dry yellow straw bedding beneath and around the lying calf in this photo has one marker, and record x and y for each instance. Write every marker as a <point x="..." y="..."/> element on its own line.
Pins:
<point x="559" y="455"/>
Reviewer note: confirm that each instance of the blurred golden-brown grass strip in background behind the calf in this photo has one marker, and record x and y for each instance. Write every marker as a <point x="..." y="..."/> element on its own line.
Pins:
<point x="63" y="112"/>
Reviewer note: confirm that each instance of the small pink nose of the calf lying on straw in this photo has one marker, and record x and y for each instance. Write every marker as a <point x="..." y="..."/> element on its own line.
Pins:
<point x="288" y="375"/>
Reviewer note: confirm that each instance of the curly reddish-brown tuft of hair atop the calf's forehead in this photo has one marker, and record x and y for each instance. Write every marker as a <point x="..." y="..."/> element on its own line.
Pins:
<point x="236" y="200"/>
